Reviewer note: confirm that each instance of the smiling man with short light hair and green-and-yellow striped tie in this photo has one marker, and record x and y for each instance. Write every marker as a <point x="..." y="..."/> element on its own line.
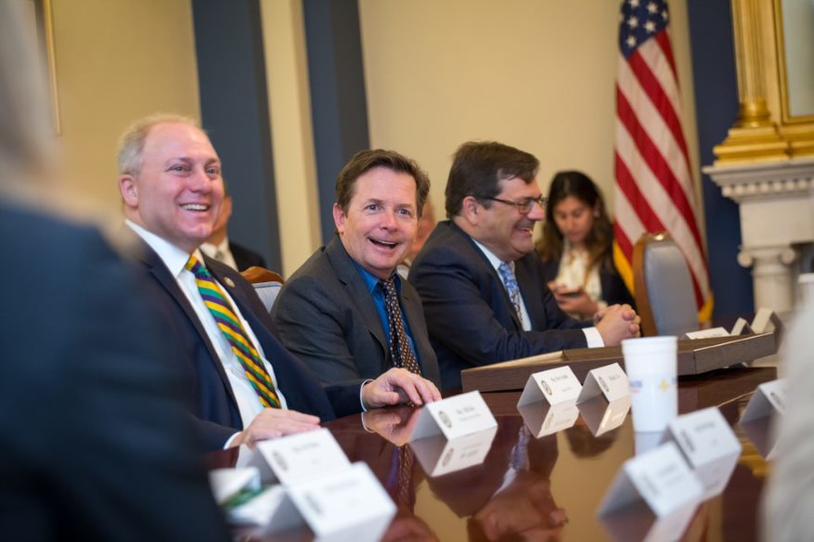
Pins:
<point x="245" y="386"/>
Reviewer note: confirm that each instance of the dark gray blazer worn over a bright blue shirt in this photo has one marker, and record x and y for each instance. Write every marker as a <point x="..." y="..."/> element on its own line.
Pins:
<point x="326" y="316"/>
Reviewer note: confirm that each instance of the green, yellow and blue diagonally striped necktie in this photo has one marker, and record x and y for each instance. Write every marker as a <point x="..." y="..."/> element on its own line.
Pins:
<point x="232" y="329"/>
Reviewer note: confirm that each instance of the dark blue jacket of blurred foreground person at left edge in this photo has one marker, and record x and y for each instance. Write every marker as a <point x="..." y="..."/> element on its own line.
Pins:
<point x="97" y="441"/>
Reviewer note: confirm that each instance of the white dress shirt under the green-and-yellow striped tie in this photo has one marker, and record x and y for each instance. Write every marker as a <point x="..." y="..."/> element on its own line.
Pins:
<point x="175" y="259"/>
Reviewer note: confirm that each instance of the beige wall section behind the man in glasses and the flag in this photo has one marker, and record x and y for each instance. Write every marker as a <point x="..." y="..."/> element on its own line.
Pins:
<point x="537" y="75"/>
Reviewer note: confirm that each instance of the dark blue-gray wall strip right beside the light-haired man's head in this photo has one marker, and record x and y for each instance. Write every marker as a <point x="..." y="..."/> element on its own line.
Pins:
<point x="235" y="112"/>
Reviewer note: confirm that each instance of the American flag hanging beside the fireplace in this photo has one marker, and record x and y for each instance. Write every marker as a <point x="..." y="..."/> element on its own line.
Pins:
<point x="654" y="187"/>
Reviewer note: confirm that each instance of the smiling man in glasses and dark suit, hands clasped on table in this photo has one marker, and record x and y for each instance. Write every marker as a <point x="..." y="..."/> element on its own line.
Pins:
<point x="479" y="278"/>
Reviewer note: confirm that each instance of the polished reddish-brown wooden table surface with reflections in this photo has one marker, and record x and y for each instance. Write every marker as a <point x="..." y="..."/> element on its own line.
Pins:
<point x="548" y="488"/>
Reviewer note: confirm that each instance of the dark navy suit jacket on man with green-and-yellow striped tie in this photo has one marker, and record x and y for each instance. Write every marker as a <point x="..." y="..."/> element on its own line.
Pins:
<point x="214" y="404"/>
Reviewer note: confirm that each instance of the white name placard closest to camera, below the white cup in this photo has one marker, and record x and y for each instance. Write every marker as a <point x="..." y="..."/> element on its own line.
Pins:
<point x="661" y="478"/>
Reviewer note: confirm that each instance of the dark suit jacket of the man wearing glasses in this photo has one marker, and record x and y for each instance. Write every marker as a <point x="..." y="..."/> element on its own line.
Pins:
<point x="469" y="315"/>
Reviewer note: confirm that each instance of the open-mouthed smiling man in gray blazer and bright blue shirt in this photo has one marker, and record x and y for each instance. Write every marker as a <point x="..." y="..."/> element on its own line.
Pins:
<point x="346" y="313"/>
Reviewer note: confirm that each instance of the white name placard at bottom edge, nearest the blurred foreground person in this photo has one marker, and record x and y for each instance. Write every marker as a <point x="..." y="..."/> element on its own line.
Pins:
<point x="347" y="505"/>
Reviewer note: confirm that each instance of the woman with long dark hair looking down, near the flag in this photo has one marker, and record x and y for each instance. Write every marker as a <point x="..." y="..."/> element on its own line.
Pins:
<point x="577" y="247"/>
